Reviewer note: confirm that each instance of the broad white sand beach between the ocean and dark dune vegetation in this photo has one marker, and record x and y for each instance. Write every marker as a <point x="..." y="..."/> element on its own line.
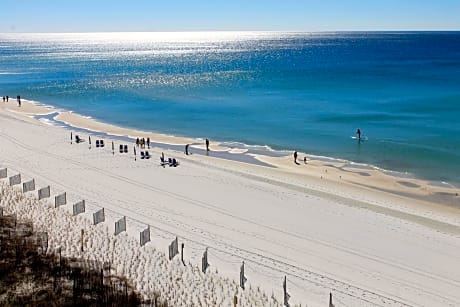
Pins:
<point x="368" y="238"/>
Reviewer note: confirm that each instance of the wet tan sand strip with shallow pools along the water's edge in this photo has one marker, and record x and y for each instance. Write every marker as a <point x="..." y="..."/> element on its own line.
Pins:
<point x="327" y="168"/>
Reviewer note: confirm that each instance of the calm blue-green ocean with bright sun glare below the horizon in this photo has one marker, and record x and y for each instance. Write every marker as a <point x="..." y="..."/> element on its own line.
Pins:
<point x="289" y="91"/>
